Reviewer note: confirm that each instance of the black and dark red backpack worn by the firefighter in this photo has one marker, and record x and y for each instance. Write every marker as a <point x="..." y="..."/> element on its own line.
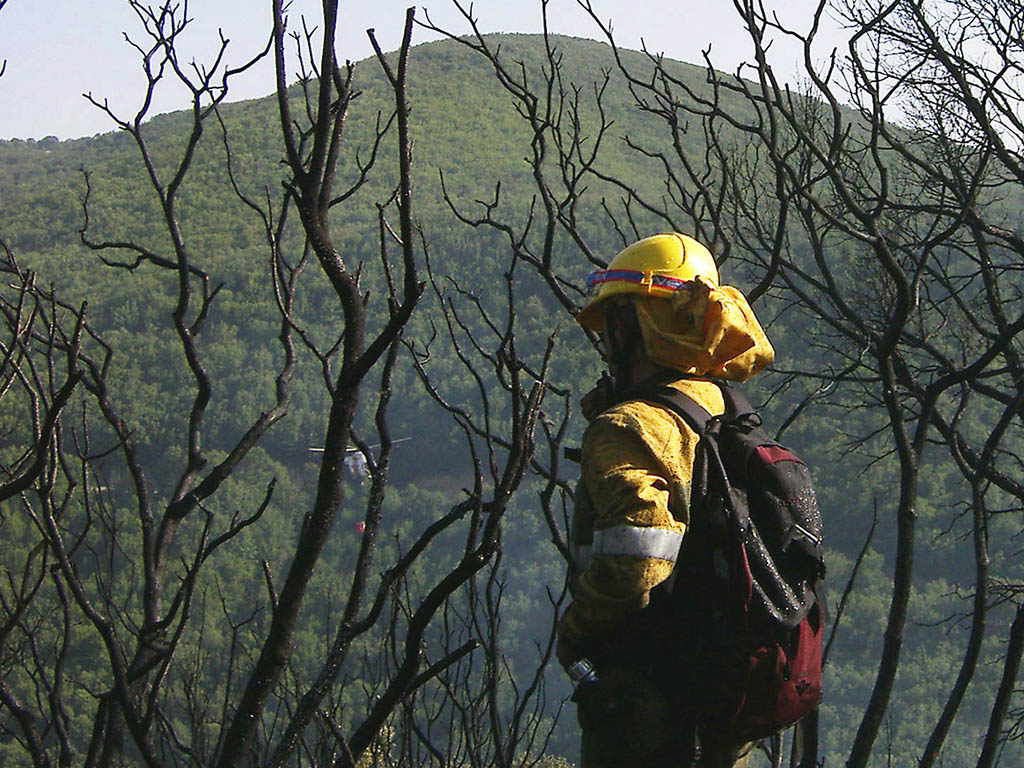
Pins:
<point x="752" y="572"/>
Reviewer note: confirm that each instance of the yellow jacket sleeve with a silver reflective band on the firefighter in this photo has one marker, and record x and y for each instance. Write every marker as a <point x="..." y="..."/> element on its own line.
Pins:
<point x="636" y="471"/>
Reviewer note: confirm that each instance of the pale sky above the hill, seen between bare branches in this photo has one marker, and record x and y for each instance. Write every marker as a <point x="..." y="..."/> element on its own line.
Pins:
<point x="57" y="51"/>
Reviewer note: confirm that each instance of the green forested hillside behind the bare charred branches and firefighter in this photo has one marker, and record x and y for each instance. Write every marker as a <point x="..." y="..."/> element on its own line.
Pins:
<point x="490" y="324"/>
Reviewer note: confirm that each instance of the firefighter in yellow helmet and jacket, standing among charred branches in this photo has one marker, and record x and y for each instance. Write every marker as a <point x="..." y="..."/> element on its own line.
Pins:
<point x="664" y="318"/>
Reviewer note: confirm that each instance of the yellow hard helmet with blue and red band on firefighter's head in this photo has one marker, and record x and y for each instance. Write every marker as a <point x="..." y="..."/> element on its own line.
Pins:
<point x="659" y="266"/>
